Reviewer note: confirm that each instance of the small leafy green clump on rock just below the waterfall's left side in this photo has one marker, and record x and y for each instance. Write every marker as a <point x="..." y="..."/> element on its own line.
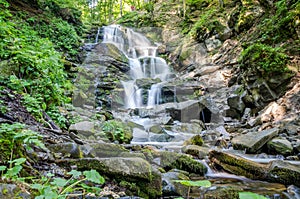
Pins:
<point x="116" y="131"/>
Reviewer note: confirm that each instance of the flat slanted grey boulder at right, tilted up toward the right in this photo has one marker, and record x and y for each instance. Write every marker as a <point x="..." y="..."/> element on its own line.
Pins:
<point x="253" y="141"/>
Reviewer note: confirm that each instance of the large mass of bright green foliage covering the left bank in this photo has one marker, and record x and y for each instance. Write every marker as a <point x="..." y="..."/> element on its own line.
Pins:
<point x="36" y="68"/>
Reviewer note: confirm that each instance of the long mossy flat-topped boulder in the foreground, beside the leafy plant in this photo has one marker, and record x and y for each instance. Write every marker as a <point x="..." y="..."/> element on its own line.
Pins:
<point x="135" y="170"/>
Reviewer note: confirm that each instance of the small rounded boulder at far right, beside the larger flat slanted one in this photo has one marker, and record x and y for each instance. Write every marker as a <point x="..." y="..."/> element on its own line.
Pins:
<point x="280" y="145"/>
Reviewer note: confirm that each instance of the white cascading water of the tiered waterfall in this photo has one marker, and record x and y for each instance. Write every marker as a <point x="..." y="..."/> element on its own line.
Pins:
<point x="143" y="62"/>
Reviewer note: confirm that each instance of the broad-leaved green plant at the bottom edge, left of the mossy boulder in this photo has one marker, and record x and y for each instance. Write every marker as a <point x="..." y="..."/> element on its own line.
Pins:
<point x="54" y="188"/>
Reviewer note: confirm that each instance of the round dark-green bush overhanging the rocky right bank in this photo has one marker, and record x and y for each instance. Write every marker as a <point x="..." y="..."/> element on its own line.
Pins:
<point x="263" y="59"/>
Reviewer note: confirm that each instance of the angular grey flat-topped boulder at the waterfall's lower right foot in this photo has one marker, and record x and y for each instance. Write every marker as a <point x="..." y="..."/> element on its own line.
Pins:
<point x="186" y="111"/>
